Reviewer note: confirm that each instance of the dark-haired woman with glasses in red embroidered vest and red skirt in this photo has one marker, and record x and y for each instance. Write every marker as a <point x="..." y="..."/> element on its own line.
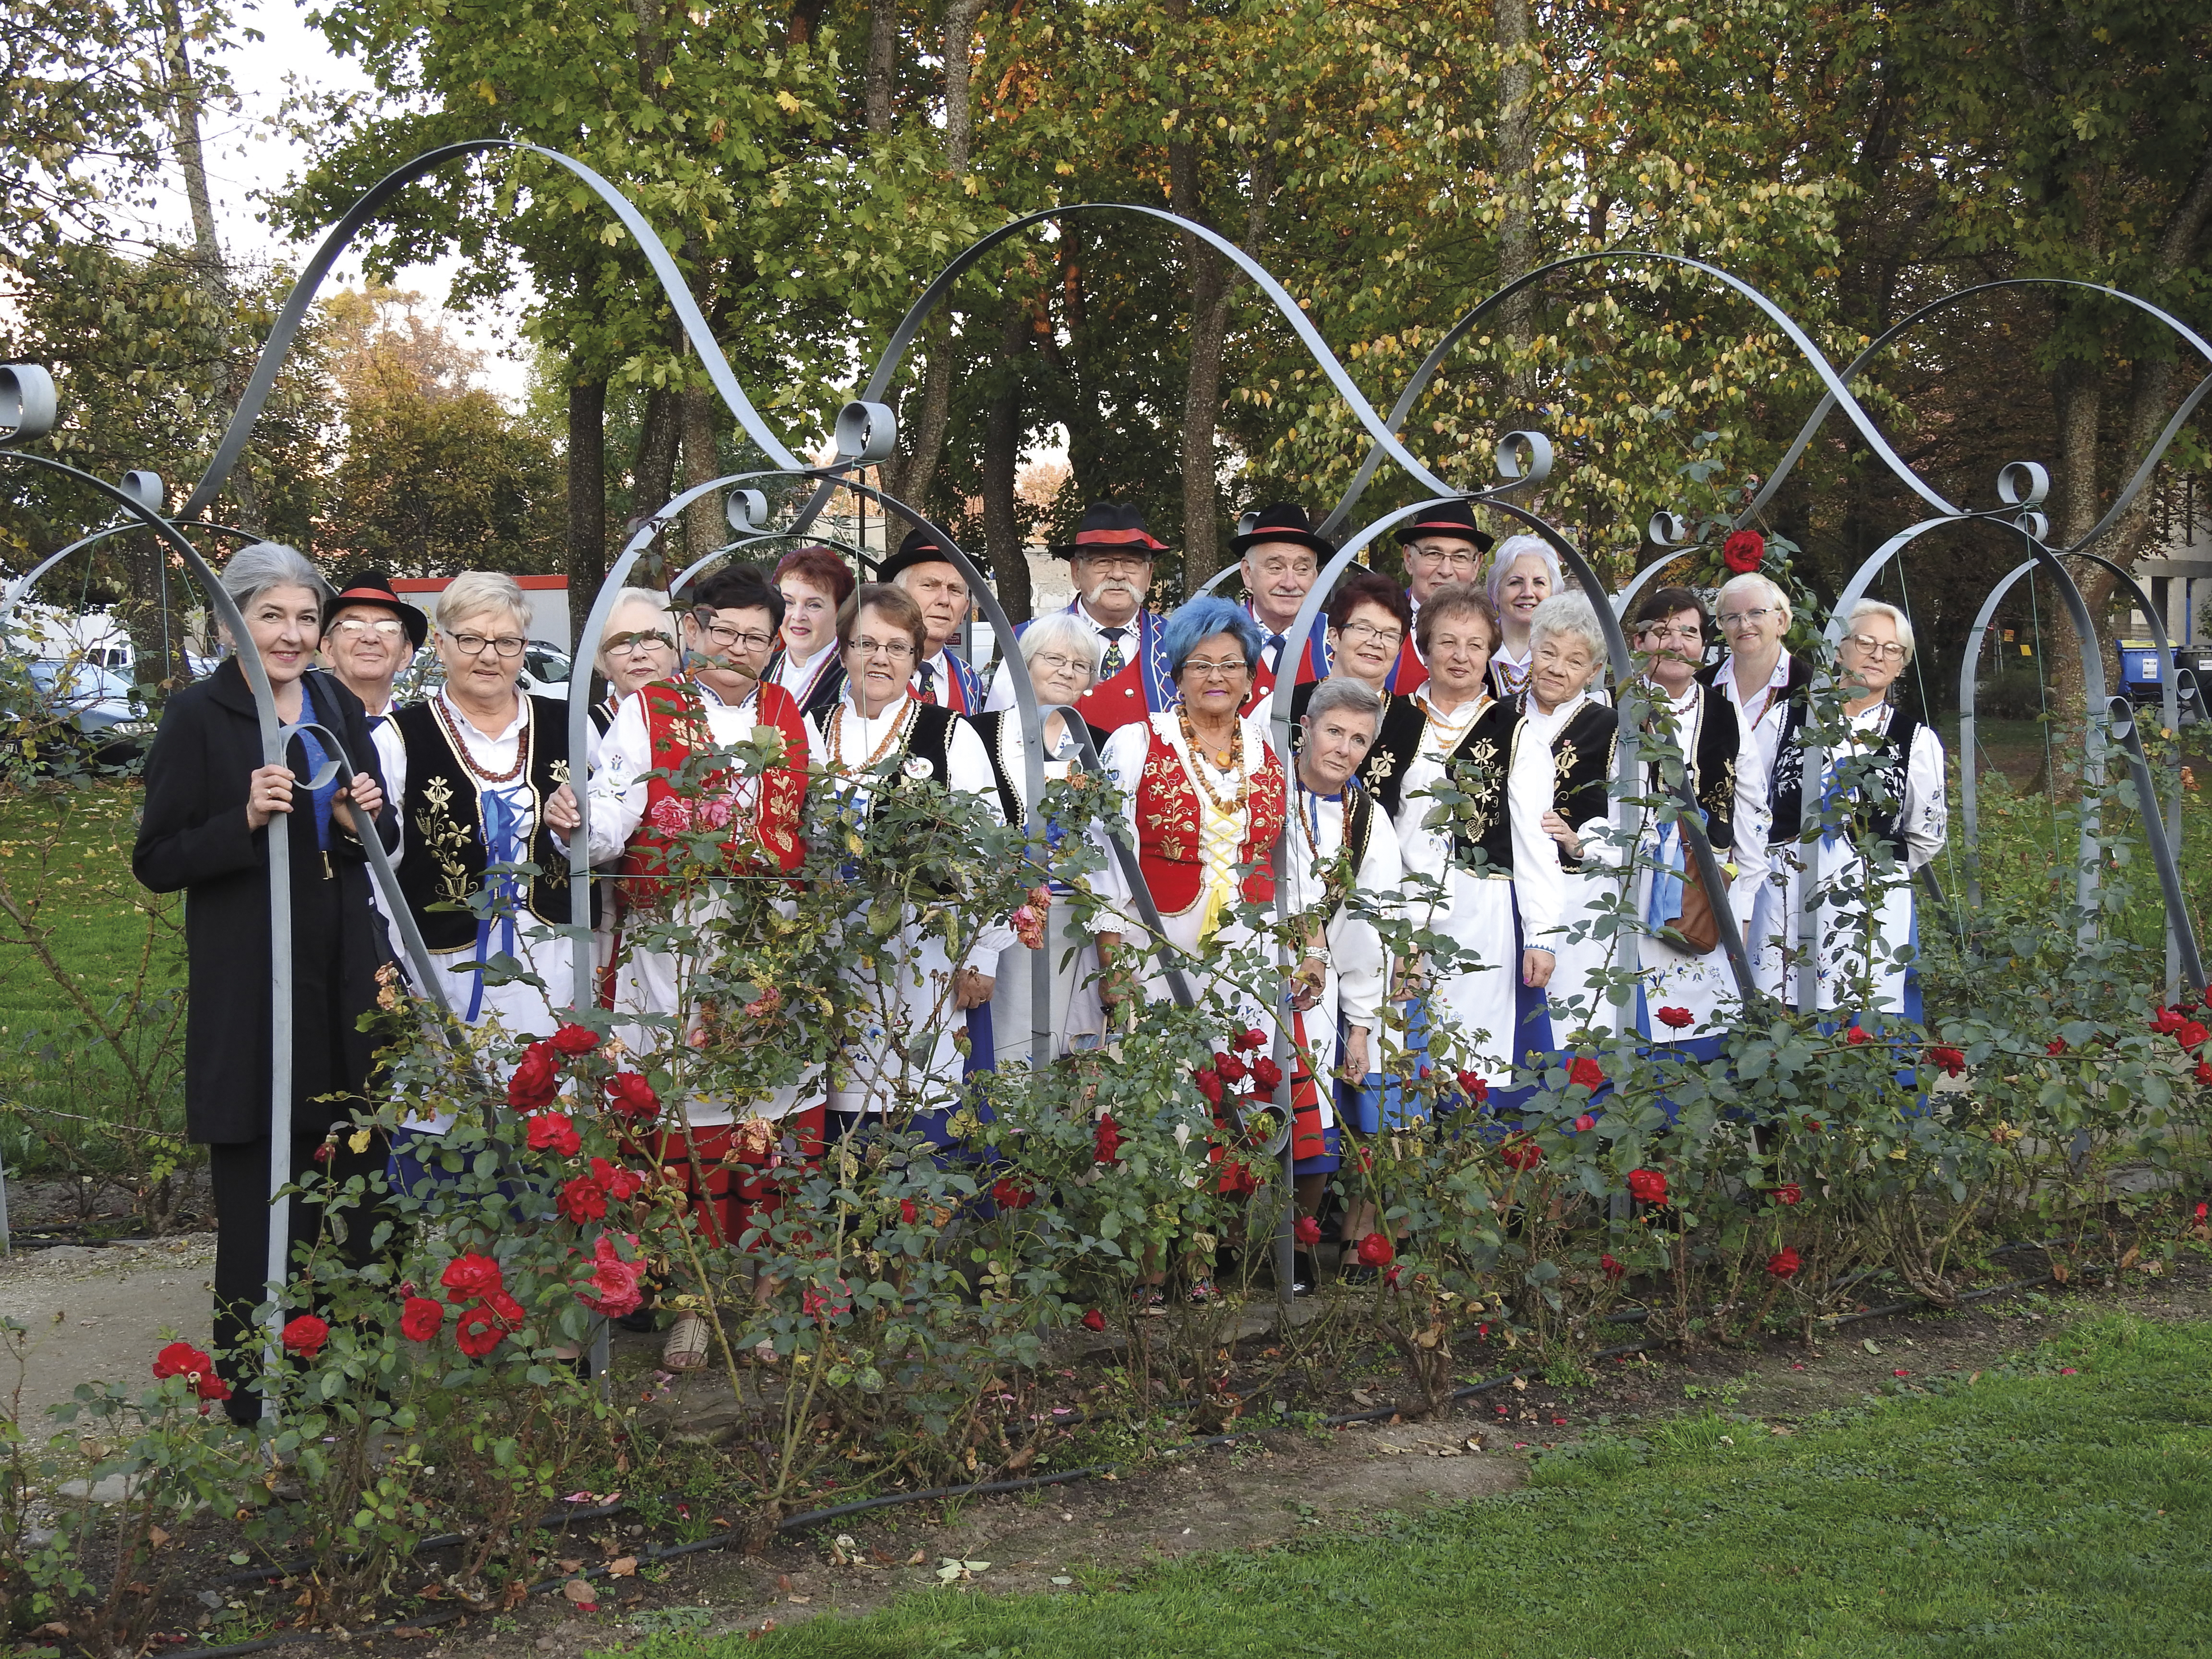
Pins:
<point x="651" y="791"/>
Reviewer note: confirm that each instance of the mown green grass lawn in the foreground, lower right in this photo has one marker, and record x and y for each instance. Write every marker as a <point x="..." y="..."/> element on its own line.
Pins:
<point x="2054" y="1507"/>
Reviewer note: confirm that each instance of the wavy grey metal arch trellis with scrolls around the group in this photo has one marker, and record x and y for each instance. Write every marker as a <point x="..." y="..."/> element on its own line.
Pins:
<point x="866" y="435"/>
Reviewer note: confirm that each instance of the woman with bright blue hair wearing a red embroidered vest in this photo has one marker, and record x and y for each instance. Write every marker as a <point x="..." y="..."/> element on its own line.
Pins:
<point x="1202" y="795"/>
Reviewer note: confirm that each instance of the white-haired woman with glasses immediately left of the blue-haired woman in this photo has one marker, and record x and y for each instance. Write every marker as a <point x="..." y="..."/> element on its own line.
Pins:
<point x="1063" y="656"/>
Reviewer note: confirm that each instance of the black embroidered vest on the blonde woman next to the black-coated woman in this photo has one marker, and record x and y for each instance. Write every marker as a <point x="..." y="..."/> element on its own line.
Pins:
<point x="444" y="859"/>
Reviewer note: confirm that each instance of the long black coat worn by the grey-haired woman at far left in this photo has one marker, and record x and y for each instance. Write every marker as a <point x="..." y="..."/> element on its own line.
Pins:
<point x="194" y="839"/>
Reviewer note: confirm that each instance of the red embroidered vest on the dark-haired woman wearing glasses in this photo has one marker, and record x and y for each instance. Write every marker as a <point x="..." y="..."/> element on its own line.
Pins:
<point x="676" y="720"/>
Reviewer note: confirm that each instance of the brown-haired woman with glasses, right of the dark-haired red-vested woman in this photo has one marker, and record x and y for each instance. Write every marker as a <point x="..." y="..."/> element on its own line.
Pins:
<point x="906" y="1061"/>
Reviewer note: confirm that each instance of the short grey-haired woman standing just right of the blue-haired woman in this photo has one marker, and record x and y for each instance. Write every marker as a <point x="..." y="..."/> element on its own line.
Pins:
<point x="1339" y="846"/>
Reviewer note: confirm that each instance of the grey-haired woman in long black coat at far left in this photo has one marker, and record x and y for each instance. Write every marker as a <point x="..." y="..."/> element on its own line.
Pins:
<point x="205" y="833"/>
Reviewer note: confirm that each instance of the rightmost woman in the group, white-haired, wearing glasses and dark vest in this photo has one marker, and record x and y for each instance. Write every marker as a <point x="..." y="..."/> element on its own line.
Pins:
<point x="1892" y="782"/>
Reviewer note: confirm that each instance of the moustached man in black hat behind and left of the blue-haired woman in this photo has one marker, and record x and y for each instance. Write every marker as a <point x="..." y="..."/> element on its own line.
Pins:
<point x="1112" y="565"/>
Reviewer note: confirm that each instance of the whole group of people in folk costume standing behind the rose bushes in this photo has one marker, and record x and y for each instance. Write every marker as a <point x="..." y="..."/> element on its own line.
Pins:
<point x="1457" y="729"/>
